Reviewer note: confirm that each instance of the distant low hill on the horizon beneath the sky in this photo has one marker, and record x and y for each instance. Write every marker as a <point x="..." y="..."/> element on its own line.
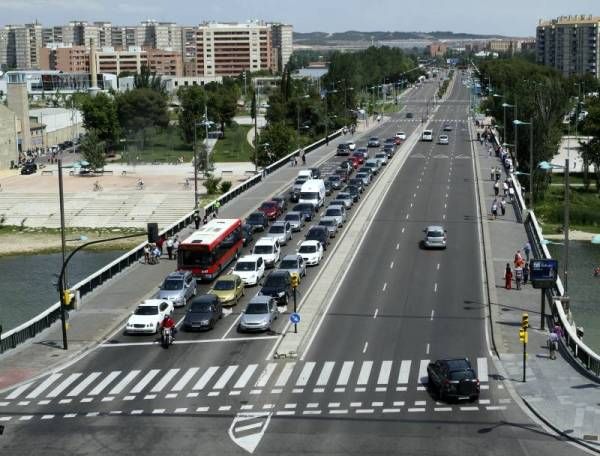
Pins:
<point x="352" y="35"/>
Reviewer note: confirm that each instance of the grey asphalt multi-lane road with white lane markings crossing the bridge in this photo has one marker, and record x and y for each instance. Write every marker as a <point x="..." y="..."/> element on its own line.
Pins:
<point x="360" y="388"/>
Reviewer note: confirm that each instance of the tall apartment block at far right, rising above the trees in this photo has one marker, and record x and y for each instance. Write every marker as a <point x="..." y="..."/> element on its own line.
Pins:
<point x="569" y="44"/>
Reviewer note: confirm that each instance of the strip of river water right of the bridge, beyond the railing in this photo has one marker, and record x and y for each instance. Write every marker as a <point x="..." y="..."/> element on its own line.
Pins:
<point x="584" y="288"/>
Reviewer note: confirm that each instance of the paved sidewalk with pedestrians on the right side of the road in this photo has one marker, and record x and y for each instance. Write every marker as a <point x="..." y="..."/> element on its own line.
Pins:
<point x="555" y="390"/>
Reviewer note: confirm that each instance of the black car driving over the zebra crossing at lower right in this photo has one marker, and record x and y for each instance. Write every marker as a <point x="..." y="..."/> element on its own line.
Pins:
<point x="453" y="379"/>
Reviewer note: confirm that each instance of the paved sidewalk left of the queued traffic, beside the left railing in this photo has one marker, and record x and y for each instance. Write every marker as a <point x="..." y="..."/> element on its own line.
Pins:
<point x="105" y="310"/>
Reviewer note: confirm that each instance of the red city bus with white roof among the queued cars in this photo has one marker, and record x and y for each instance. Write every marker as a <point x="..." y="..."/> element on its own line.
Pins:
<point x="211" y="248"/>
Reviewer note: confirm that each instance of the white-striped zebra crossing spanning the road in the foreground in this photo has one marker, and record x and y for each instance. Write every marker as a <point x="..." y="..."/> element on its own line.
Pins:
<point x="232" y="380"/>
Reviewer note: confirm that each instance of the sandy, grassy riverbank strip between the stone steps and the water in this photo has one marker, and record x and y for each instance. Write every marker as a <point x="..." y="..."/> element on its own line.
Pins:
<point x="31" y="241"/>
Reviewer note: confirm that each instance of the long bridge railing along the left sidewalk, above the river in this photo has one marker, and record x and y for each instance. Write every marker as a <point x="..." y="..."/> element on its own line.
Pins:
<point x="44" y="320"/>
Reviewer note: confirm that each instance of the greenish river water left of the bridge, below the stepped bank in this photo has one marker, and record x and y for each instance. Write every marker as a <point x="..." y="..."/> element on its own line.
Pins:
<point x="28" y="282"/>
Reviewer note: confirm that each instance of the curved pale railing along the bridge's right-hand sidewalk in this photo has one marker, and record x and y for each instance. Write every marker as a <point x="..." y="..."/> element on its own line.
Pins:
<point x="586" y="357"/>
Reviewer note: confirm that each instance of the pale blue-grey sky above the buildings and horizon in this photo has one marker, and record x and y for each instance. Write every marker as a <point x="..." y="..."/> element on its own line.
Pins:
<point x="506" y="17"/>
